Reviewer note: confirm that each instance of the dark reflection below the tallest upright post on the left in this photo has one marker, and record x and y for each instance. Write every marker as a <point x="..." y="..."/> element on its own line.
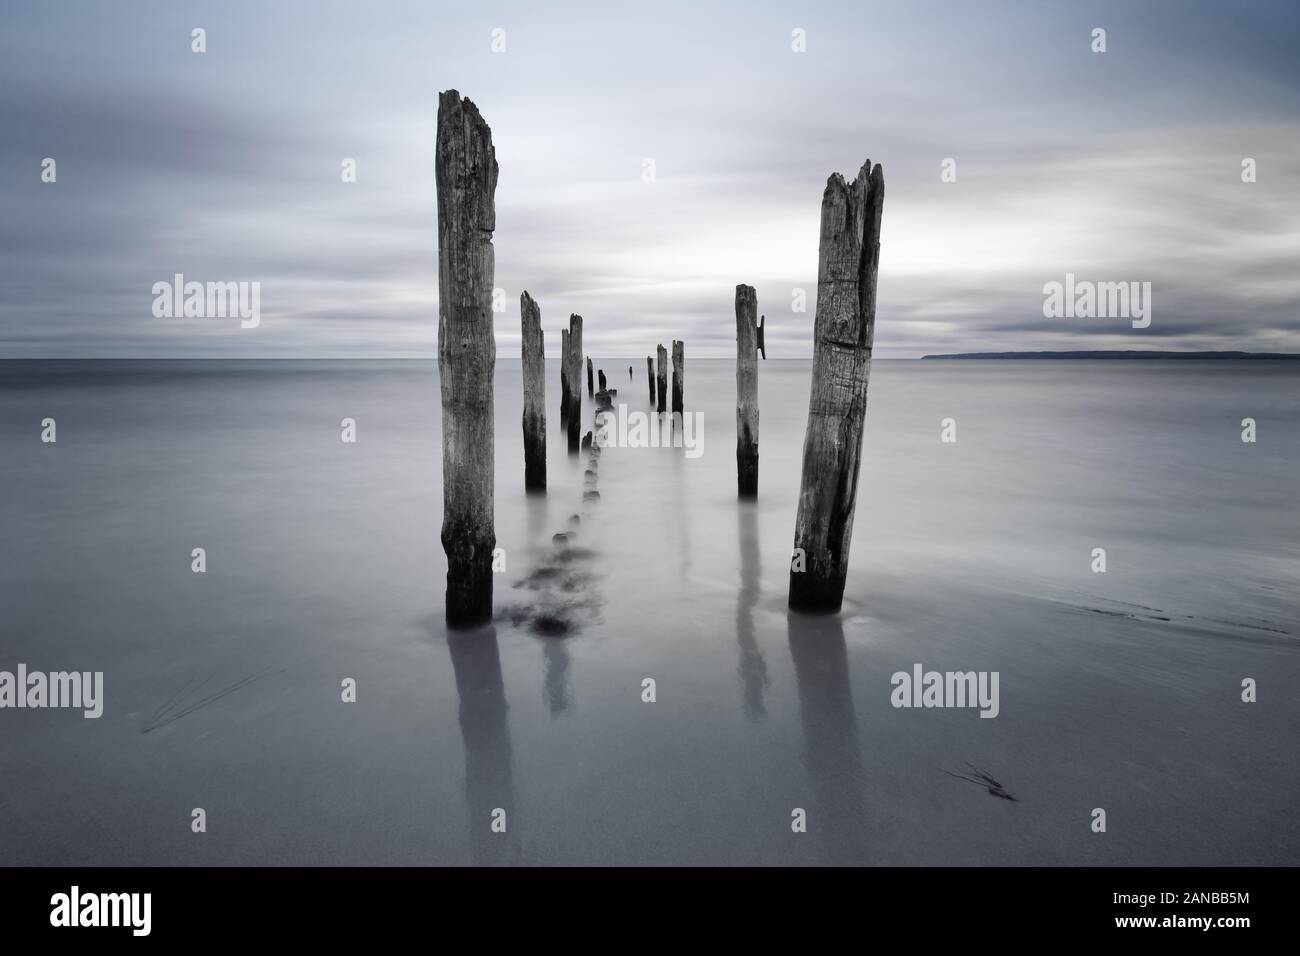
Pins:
<point x="486" y="732"/>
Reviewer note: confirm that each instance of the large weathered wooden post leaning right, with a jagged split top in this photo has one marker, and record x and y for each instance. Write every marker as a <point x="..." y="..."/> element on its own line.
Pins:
<point x="844" y="330"/>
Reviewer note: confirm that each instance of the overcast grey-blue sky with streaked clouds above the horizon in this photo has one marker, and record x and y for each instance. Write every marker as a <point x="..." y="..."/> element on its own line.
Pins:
<point x="226" y="166"/>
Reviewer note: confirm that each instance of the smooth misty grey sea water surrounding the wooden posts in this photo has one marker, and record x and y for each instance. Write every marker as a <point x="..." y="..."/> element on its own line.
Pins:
<point x="223" y="690"/>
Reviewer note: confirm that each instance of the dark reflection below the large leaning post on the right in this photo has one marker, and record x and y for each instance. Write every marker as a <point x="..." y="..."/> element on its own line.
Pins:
<point x="831" y="755"/>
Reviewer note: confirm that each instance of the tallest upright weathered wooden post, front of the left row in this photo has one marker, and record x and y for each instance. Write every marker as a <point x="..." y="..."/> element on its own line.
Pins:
<point x="466" y="175"/>
